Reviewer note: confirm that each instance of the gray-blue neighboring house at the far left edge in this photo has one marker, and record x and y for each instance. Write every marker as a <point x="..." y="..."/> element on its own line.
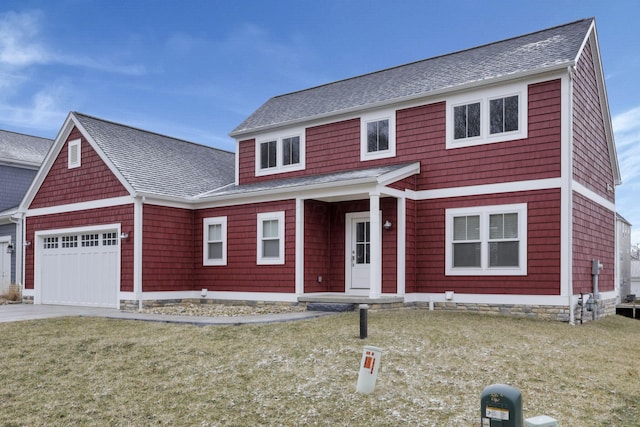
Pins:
<point x="20" y="158"/>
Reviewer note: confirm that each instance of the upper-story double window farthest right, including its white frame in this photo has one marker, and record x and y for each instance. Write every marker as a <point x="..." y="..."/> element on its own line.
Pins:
<point x="488" y="116"/>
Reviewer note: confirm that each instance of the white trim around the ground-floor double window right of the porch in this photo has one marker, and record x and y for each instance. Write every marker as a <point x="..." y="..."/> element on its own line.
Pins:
<point x="484" y="212"/>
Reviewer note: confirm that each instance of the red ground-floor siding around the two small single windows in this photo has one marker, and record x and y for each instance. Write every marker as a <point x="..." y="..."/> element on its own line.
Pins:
<point x="242" y="274"/>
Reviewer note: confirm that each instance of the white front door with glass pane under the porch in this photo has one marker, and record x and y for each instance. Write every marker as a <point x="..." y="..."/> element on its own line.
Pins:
<point x="358" y="251"/>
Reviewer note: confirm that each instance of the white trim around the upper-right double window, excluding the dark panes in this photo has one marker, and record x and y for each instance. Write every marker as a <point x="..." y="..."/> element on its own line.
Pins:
<point x="484" y="97"/>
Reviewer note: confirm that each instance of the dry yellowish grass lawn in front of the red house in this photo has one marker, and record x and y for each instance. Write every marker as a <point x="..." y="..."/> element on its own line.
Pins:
<point x="80" y="371"/>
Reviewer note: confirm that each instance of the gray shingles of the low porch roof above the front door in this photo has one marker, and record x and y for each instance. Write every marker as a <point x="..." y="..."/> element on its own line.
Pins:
<point x="295" y="184"/>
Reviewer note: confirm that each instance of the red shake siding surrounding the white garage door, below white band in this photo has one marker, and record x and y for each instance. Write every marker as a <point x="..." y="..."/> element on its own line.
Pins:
<point x="114" y="215"/>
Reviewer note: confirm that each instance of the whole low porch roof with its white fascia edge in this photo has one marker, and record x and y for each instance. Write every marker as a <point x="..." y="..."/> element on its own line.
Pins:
<point x="381" y="175"/>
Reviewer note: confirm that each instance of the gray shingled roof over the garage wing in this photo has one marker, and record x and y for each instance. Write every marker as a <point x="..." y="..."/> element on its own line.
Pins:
<point x="158" y="164"/>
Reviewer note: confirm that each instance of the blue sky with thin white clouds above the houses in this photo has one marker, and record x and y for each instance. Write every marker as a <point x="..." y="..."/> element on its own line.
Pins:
<point x="196" y="69"/>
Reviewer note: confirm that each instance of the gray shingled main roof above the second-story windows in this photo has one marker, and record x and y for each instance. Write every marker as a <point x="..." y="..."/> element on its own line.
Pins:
<point x="532" y="52"/>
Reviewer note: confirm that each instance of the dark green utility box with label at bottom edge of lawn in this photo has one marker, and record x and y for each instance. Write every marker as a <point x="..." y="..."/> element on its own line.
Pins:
<point x="501" y="406"/>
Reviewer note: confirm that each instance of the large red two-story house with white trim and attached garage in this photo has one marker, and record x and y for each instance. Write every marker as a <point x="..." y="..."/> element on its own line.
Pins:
<point x="483" y="179"/>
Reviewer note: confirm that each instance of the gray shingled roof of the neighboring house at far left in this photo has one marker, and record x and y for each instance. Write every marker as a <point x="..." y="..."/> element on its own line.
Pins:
<point x="24" y="149"/>
